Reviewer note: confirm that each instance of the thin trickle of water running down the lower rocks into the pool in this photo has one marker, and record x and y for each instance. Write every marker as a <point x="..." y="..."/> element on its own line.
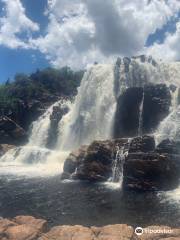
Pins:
<point x="118" y="162"/>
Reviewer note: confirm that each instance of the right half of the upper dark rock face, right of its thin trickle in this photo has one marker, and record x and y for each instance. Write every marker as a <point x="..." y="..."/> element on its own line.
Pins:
<point x="157" y="101"/>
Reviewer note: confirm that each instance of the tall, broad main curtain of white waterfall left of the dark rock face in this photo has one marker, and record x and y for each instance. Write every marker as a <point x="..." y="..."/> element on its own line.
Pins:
<point x="92" y="114"/>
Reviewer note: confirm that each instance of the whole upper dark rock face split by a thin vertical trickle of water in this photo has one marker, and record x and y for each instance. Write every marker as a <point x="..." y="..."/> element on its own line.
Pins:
<point x="155" y="100"/>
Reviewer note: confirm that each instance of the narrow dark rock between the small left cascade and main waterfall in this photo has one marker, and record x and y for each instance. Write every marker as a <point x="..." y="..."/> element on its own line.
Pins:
<point x="57" y="114"/>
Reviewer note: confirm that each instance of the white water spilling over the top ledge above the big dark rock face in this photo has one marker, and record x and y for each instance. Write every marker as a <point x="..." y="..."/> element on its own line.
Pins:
<point x="141" y="73"/>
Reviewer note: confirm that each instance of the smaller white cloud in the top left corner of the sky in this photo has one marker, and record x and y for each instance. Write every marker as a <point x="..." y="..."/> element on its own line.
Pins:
<point x="14" y="23"/>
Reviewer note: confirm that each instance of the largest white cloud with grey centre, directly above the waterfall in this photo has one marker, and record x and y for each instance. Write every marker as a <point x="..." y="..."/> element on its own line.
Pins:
<point x="81" y="32"/>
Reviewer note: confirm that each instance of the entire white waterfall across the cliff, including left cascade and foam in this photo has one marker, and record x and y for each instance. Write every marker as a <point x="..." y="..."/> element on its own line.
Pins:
<point x="91" y="116"/>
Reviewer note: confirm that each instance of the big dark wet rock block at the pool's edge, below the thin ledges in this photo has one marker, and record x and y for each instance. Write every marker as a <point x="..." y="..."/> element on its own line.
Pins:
<point x="150" y="171"/>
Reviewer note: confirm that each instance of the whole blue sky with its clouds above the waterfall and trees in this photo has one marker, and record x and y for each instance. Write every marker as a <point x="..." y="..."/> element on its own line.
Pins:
<point x="39" y="33"/>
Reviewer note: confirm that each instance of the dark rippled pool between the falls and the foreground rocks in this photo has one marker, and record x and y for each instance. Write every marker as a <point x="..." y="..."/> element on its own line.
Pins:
<point x="84" y="203"/>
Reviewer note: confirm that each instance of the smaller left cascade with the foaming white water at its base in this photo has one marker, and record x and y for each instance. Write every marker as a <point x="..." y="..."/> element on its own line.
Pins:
<point x="34" y="159"/>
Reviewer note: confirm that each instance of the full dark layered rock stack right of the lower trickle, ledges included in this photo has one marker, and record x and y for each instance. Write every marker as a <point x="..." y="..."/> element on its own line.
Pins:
<point x="147" y="168"/>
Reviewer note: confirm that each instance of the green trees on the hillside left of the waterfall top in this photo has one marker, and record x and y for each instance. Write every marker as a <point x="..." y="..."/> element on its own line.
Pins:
<point x="50" y="81"/>
